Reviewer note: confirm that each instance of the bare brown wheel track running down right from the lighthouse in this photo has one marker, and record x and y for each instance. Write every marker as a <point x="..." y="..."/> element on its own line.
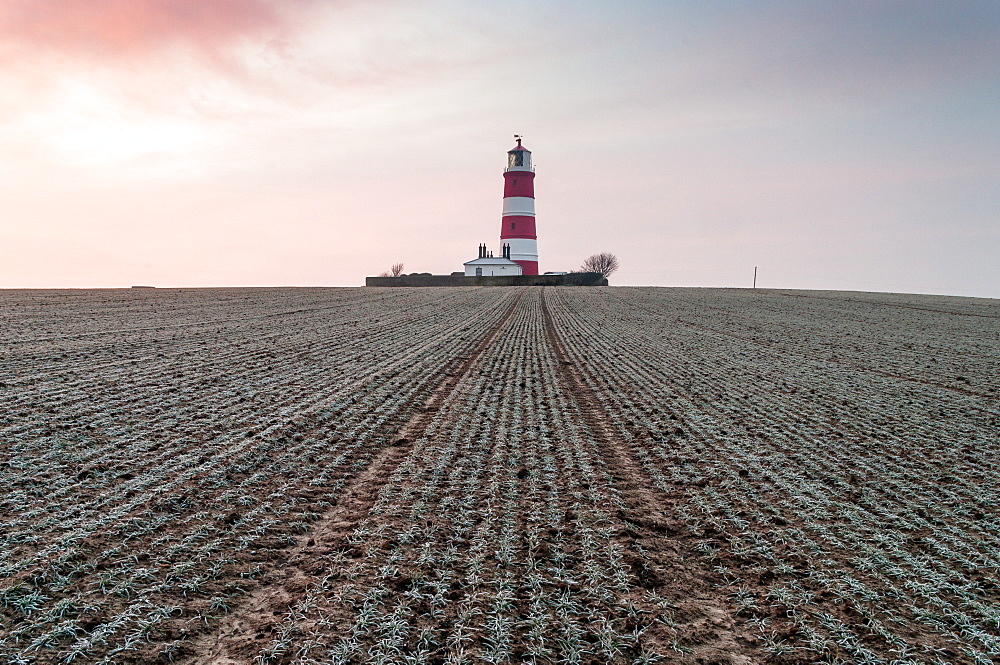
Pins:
<point x="703" y="615"/>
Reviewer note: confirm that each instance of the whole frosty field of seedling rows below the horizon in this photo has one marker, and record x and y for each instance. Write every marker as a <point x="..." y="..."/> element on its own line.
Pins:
<point x="498" y="475"/>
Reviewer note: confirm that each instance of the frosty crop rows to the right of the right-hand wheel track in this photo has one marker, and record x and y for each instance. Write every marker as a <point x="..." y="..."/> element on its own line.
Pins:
<point x="847" y="496"/>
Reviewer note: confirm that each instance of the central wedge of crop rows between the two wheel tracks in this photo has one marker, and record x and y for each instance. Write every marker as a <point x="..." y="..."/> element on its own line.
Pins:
<point x="499" y="538"/>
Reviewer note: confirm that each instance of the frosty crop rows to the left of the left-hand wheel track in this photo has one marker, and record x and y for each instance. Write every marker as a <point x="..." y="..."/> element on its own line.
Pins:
<point x="152" y="470"/>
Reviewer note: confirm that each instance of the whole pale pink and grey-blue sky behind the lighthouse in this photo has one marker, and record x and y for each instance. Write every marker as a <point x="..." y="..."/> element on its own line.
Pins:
<point x="832" y="145"/>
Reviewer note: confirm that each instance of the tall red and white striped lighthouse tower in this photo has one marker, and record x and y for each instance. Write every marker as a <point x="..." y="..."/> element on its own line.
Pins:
<point x="518" y="226"/>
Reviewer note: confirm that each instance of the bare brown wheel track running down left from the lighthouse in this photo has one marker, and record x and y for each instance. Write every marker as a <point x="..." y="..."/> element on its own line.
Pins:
<point x="238" y="636"/>
